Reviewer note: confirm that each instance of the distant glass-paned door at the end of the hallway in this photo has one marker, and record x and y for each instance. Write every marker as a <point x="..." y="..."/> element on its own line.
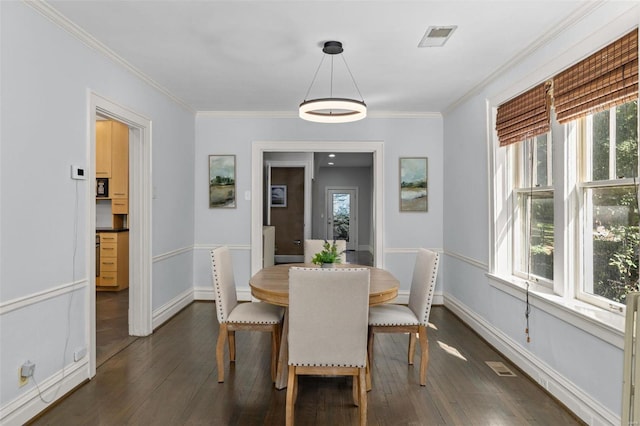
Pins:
<point x="342" y="213"/>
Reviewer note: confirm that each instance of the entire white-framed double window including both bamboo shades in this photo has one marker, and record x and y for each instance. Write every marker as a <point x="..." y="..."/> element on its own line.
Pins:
<point x="565" y="207"/>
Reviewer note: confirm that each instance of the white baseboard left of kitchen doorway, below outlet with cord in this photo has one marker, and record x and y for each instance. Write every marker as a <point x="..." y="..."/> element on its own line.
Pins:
<point x="28" y="405"/>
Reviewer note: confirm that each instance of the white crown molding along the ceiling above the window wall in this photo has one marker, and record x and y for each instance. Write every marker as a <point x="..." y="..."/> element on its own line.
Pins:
<point x="585" y="9"/>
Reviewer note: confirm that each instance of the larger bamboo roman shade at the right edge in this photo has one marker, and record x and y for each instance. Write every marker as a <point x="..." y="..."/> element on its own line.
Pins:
<point x="604" y="80"/>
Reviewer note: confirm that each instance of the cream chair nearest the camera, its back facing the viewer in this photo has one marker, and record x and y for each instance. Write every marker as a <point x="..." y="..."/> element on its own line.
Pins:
<point x="328" y="311"/>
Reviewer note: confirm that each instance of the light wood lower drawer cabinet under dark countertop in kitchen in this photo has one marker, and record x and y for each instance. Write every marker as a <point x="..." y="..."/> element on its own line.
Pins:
<point x="114" y="261"/>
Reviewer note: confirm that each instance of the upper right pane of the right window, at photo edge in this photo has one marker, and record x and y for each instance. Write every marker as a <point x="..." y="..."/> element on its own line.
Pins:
<point x="627" y="140"/>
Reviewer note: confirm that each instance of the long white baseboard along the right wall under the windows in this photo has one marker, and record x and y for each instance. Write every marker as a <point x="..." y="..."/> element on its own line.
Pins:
<point x="580" y="403"/>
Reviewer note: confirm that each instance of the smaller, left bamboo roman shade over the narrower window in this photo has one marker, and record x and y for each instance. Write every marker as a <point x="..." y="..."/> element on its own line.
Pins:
<point x="524" y="116"/>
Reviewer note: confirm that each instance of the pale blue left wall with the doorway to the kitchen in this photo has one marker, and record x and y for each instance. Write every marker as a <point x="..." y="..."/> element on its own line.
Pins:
<point x="45" y="241"/>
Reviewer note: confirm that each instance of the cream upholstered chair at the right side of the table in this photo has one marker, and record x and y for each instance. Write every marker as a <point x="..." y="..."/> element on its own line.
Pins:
<point x="414" y="318"/>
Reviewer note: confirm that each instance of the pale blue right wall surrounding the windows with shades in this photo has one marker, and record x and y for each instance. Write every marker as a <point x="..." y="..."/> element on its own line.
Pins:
<point x="579" y="368"/>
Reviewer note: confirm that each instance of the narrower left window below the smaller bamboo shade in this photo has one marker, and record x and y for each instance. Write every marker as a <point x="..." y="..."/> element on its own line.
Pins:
<point x="533" y="229"/>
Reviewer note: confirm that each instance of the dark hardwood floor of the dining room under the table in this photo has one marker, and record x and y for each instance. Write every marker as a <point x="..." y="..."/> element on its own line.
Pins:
<point x="169" y="378"/>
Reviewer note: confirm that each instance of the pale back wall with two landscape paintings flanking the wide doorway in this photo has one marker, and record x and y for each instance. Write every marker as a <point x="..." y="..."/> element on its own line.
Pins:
<point x="403" y="232"/>
